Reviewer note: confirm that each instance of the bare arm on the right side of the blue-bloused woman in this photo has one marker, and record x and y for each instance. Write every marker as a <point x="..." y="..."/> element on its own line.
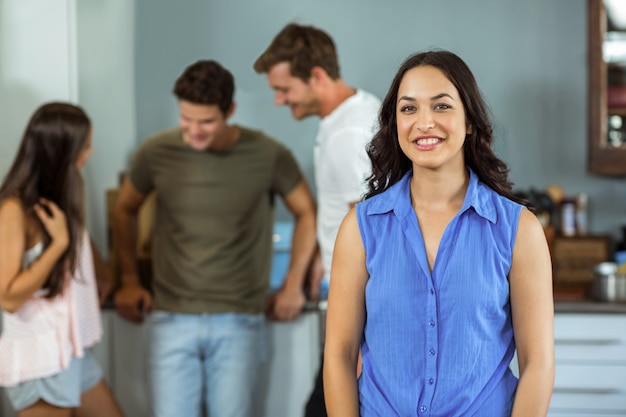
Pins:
<point x="532" y="308"/>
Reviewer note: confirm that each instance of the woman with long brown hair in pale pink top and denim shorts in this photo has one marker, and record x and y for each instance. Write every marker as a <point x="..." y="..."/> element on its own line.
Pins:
<point x="48" y="270"/>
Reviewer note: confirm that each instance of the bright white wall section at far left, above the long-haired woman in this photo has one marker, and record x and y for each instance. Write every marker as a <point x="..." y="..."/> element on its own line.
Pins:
<point x="37" y="64"/>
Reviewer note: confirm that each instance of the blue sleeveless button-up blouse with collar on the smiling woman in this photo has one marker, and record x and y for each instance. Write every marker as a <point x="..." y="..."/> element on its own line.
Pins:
<point x="440" y="343"/>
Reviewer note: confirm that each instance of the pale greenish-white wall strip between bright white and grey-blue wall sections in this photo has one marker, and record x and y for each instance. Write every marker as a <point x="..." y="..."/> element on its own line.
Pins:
<point x="106" y="60"/>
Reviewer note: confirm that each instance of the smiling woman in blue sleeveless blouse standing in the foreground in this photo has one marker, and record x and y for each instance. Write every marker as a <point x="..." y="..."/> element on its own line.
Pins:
<point x="450" y="269"/>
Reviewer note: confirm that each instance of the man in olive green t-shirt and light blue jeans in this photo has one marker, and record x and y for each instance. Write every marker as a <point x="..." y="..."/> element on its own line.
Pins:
<point x="215" y="185"/>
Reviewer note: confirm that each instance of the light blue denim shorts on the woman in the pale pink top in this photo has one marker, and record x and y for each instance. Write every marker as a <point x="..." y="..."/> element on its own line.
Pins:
<point x="61" y="390"/>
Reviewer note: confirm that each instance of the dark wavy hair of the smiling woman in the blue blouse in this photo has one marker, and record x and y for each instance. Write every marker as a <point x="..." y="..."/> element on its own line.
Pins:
<point x="389" y="163"/>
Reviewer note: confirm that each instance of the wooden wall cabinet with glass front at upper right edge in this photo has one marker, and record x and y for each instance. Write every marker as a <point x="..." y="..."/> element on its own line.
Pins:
<point x="607" y="87"/>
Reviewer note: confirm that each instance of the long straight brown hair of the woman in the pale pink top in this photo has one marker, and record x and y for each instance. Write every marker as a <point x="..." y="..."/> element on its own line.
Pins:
<point x="45" y="166"/>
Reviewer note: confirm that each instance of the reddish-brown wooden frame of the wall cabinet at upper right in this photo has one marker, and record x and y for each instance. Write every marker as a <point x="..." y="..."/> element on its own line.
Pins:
<point x="602" y="159"/>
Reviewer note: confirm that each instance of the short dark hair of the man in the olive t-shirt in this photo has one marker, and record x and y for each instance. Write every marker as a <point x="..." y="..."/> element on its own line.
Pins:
<point x="206" y="82"/>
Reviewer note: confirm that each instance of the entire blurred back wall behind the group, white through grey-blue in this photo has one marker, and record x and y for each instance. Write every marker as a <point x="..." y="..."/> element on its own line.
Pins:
<point x="119" y="59"/>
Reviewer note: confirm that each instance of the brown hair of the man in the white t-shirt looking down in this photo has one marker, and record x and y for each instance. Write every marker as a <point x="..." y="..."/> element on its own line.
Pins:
<point x="303" y="47"/>
